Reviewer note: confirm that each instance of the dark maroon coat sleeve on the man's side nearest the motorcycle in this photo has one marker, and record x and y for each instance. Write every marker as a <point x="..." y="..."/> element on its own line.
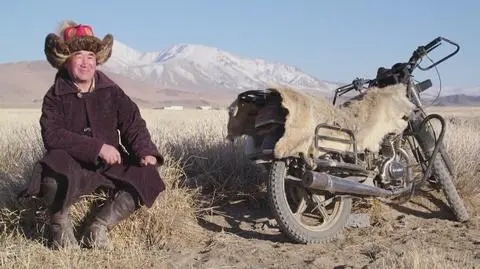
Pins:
<point x="133" y="129"/>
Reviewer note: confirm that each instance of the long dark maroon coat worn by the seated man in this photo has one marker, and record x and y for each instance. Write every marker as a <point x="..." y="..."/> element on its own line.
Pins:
<point x="74" y="126"/>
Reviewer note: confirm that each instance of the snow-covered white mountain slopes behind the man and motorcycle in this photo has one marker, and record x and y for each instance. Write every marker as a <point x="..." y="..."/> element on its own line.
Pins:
<point x="198" y="68"/>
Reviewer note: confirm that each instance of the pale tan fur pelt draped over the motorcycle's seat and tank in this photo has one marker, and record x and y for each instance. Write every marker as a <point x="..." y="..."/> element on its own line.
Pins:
<point x="370" y="116"/>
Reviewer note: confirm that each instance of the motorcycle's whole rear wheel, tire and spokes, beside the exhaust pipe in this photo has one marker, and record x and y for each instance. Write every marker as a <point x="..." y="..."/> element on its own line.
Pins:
<point x="305" y="216"/>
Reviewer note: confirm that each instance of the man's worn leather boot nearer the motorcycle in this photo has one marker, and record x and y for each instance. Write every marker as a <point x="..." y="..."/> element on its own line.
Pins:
<point x="113" y="211"/>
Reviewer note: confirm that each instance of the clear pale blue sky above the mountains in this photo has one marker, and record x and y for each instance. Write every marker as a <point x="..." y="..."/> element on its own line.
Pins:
<point x="332" y="40"/>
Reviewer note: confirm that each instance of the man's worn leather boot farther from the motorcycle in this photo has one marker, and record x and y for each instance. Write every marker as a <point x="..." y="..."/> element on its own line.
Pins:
<point x="61" y="227"/>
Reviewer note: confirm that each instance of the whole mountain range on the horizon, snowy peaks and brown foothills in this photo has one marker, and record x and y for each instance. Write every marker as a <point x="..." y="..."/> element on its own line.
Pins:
<point x="178" y="74"/>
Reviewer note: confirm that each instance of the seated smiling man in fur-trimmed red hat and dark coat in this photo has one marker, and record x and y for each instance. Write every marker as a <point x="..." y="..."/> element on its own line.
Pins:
<point x="86" y="119"/>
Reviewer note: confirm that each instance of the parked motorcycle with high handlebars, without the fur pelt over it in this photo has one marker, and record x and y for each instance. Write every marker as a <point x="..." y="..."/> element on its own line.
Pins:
<point x="312" y="204"/>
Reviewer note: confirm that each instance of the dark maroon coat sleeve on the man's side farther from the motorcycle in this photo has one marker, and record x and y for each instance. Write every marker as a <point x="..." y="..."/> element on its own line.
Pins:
<point x="56" y="137"/>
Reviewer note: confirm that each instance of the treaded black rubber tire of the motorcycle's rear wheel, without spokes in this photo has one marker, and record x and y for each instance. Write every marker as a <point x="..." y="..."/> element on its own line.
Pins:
<point x="292" y="226"/>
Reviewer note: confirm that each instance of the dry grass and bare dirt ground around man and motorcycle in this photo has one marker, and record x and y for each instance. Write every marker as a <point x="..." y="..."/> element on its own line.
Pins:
<point x="212" y="214"/>
